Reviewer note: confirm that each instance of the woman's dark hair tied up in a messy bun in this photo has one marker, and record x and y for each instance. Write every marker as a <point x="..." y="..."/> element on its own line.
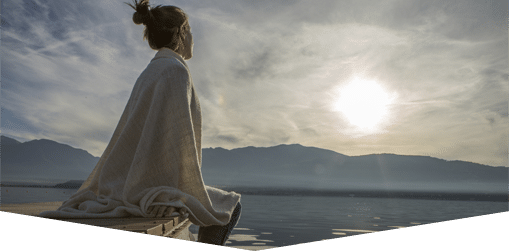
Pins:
<point x="165" y="26"/>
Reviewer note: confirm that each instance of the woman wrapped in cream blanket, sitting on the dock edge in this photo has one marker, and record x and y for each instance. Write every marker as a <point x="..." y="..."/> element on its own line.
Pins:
<point x="152" y="164"/>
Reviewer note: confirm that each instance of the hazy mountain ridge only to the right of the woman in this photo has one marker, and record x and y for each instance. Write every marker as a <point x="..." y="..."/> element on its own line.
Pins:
<point x="297" y="165"/>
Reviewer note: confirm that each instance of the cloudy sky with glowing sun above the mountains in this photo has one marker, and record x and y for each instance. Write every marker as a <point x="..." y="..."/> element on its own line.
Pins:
<point x="356" y="77"/>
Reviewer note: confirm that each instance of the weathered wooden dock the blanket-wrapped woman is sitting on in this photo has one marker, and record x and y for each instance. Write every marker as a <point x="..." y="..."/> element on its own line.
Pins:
<point x="170" y="227"/>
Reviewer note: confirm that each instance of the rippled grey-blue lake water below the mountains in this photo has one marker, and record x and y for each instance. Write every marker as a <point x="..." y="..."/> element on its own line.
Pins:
<point x="276" y="221"/>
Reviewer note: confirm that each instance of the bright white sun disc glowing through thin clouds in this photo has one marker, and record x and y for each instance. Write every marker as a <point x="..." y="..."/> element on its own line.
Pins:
<point x="364" y="103"/>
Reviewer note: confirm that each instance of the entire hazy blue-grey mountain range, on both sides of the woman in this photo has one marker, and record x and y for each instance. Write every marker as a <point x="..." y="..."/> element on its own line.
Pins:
<point x="283" y="166"/>
